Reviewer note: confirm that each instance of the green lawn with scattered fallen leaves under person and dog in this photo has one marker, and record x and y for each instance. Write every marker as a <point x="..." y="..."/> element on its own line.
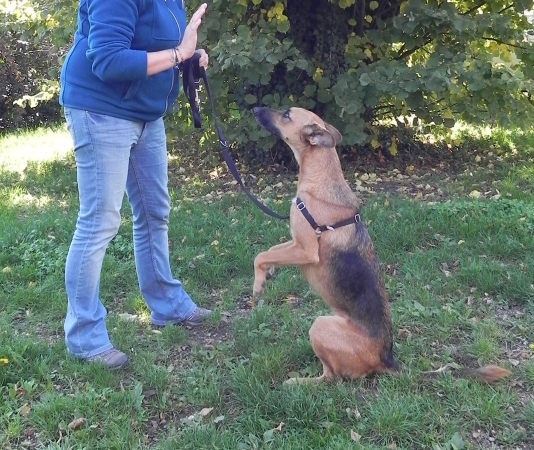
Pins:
<point x="459" y="269"/>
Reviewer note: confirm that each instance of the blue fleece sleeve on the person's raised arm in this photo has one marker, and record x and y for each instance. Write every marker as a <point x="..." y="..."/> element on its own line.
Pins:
<point x="111" y="30"/>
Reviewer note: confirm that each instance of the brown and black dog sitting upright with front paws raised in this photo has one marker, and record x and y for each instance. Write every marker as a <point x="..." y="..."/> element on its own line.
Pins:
<point x="331" y="246"/>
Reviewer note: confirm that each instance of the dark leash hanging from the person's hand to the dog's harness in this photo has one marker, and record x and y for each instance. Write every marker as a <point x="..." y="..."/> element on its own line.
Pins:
<point x="192" y="74"/>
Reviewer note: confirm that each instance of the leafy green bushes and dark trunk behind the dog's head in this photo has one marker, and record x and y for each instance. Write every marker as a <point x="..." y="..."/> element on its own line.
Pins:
<point x="359" y="64"/>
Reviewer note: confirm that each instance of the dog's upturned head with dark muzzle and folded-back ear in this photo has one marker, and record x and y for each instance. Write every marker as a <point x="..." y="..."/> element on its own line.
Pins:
<point x="298" y="127"/>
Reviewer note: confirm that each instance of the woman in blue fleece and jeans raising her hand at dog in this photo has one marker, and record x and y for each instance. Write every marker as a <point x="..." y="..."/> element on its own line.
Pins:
<point x="119" y="79"/>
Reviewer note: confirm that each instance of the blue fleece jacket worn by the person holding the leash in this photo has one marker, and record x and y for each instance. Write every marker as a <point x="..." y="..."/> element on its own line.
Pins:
<point x="105" y="71"/>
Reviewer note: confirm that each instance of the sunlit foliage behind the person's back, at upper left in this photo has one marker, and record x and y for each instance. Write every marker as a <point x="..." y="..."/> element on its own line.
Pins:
<point x="29" y="41"/>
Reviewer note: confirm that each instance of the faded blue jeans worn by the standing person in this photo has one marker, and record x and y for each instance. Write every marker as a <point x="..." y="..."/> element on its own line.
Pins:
<point x="114" y="156"/>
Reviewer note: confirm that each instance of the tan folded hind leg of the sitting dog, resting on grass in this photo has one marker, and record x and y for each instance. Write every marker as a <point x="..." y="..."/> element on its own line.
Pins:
<point x="344" y="348"/>
